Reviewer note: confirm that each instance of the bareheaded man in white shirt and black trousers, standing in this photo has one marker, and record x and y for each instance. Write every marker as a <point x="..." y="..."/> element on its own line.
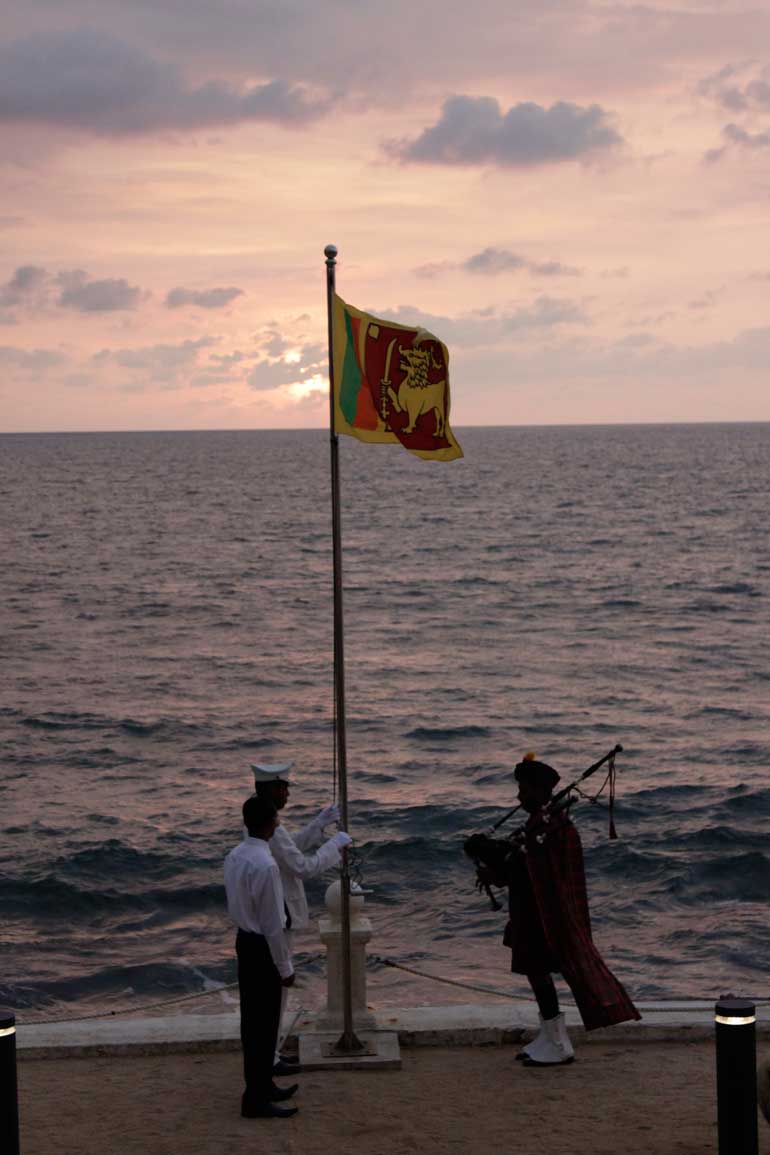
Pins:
<point x="256" y="904"/>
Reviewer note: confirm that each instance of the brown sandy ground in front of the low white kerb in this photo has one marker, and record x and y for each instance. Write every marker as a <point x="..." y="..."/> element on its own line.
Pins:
<point x="629" y="1099"/>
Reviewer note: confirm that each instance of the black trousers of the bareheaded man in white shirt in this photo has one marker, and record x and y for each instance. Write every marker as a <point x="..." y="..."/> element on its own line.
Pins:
<point x="259" y="983"/>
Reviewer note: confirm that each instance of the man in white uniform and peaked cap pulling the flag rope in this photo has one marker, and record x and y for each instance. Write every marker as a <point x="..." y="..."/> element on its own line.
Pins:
<point x="296" y="858"/>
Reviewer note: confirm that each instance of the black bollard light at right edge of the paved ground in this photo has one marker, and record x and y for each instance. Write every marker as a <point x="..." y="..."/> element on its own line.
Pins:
<point x="735" y="1022"/>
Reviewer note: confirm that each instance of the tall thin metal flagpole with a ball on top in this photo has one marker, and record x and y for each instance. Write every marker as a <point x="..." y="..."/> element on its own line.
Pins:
<point x="348" y="1041"/>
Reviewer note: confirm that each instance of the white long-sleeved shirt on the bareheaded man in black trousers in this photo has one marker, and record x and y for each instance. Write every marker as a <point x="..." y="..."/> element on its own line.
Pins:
<point x="256" y="899"/>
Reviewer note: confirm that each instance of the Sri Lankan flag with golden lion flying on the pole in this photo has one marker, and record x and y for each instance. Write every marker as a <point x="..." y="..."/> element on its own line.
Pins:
<point x="392" y="384"/>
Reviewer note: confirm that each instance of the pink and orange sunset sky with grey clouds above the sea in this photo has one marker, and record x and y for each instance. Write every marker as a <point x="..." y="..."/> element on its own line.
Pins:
<point x="574" y="196"/>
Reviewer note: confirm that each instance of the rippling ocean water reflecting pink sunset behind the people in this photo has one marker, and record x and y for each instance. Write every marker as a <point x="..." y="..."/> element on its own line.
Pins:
<point x="166" y="621"/>
